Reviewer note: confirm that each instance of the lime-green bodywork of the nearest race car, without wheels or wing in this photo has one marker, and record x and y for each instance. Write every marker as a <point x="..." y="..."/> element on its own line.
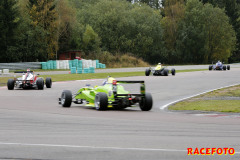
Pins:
<point x="88" y="93"/>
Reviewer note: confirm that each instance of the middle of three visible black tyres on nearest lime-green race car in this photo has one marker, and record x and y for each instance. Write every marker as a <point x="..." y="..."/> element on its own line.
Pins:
<point x="101" y="101"/>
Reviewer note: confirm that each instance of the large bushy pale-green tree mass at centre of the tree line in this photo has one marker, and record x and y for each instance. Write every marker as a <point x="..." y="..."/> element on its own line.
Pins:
<point x="124" y="27"/>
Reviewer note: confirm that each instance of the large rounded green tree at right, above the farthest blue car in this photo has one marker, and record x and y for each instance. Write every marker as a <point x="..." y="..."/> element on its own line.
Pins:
<point x="201" y="36"/>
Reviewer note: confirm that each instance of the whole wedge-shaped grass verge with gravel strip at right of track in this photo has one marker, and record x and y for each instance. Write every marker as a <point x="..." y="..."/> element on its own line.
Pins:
<point x="222" y="100"/>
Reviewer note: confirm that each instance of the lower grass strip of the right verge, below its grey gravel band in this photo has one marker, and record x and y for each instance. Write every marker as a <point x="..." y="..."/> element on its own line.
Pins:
<point x="209" y="105"/>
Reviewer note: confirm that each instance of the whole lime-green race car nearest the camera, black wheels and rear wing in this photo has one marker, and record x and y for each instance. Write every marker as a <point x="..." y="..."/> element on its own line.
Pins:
<point x="110" y="95"/>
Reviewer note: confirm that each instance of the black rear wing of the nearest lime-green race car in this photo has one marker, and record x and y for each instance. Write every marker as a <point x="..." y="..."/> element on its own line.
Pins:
<point x="142" y="88"/>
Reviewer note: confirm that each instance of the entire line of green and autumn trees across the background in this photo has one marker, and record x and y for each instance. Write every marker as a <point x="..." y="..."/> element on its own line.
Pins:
<point x="167" y="31"/>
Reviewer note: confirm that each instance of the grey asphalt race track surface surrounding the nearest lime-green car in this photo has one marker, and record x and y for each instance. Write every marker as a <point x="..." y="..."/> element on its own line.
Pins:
<point x="34" y="127"/>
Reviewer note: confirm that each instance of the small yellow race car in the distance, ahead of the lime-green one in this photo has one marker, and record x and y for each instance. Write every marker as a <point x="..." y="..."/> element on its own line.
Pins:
<point x="159" y="71"/>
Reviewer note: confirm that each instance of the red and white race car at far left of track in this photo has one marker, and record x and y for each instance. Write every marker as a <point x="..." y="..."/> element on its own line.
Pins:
<point x="29" y="81"/>
